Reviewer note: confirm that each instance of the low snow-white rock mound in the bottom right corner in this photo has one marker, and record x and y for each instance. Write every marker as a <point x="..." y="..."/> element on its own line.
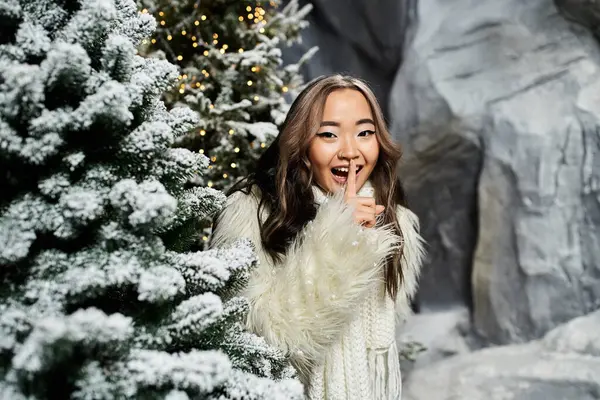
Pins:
<point x="559" y="367"/>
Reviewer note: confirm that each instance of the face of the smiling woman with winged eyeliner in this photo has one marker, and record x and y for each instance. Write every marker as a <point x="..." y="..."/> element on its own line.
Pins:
<point x="347" y="132"/>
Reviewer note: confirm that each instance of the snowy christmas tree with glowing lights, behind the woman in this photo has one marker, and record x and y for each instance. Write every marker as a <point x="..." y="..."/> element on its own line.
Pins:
<point x="231" y="73"/>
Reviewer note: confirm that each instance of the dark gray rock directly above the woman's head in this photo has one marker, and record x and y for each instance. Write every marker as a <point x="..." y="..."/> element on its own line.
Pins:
<point x="361" y="38"/>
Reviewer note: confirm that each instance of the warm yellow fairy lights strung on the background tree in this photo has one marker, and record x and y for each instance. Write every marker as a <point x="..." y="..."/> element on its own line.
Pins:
<point x="187" y="27"/>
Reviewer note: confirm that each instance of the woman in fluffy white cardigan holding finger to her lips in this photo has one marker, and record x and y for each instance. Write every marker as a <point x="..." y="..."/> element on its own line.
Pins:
<point x="339" y="253"/>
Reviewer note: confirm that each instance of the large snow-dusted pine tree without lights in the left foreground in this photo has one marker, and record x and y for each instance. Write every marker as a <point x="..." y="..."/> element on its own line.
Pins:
<point x="98" y="299"/>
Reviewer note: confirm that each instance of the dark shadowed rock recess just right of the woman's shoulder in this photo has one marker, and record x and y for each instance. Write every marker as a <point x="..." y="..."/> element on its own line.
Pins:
<point x="446" y="204"/>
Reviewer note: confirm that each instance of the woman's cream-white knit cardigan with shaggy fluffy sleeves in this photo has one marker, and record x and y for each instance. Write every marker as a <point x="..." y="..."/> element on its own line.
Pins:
<point x="326" y="304"/>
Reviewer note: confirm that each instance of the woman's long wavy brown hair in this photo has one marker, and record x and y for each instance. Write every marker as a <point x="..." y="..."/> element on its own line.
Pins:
<point x="284" y="177"/>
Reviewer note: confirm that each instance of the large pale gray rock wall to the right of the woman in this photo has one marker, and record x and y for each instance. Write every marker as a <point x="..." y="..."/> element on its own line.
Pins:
<point x="498" y="105"/>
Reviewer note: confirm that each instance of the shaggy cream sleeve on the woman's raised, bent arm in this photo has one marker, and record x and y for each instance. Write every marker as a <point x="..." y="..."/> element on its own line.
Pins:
<point x="303" y="305"/>
